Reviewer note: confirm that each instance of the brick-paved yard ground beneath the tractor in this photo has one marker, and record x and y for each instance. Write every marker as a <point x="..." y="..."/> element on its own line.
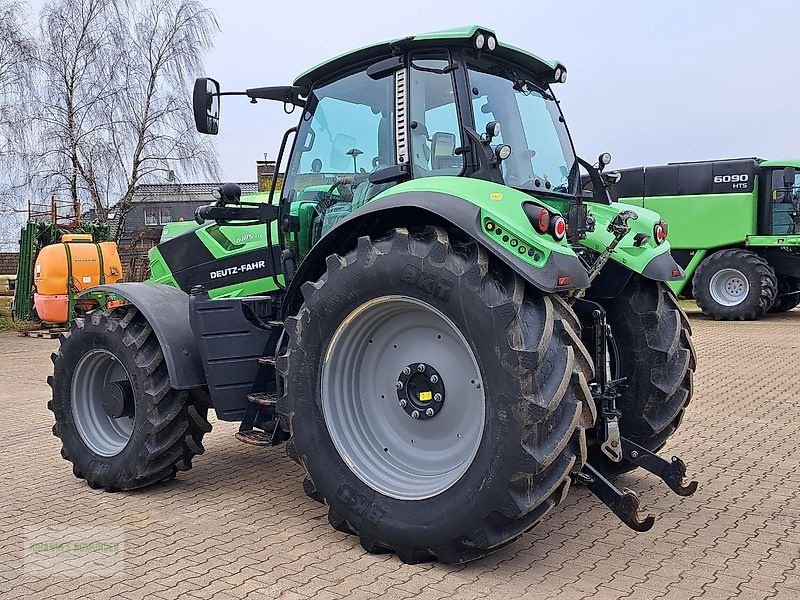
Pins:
<point x="238" y="524"/>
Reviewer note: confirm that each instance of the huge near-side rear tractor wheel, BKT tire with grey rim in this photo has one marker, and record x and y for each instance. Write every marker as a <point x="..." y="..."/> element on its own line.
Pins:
<point x="437" y="404"/>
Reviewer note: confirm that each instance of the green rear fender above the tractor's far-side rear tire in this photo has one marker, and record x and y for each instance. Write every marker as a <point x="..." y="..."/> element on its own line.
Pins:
<point x="651" y="260"/>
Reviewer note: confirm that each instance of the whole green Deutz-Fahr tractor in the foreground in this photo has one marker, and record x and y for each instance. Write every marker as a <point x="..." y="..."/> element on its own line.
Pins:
<point x="439" y="327"/>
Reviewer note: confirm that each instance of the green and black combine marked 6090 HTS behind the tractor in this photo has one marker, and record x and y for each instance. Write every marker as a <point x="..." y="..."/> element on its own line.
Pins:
<point x="734" y="228"/>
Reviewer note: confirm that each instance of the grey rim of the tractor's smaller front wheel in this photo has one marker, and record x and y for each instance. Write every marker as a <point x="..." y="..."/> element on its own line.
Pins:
<point x="102" y="403"/>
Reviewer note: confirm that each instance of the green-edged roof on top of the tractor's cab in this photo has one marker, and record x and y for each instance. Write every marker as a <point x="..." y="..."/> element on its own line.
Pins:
<point x="462" y="36"/>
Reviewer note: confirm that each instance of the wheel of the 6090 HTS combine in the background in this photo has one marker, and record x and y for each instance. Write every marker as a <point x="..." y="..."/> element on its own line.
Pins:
<point x="734" y="284"/>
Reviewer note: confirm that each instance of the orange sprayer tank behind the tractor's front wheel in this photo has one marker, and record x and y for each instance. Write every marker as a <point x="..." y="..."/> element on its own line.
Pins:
<point x="78" y="259"/>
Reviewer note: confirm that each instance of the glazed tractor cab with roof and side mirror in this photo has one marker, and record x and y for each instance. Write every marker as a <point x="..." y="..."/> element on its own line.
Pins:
<point x="449" y="104"/>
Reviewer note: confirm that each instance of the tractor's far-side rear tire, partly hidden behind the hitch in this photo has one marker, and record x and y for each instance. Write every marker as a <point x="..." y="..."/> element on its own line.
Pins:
<point x="654" y="352"/>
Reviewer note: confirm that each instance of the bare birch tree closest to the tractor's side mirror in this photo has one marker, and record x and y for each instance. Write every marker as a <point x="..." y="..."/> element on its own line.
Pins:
<point x="154" y="136"/>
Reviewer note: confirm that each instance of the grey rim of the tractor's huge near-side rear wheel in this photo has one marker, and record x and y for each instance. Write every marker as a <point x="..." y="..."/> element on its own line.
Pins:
<point x="387" y="448"/>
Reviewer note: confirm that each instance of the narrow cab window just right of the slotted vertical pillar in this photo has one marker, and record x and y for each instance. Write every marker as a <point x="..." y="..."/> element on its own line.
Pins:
<point x="434" y="129"/>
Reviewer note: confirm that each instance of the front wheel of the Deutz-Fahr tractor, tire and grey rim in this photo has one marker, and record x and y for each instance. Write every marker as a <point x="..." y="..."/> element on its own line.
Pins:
<point x="120" y="423"/>
